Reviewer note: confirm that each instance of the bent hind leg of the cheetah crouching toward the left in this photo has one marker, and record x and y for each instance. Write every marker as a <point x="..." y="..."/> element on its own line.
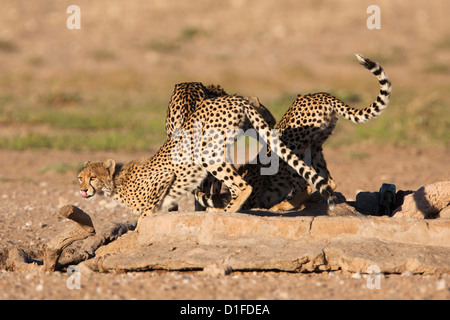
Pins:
<point x="239" y="189"/>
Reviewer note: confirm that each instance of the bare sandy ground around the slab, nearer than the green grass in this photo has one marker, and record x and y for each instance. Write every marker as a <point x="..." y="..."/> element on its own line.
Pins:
<point x="31" y="194"/>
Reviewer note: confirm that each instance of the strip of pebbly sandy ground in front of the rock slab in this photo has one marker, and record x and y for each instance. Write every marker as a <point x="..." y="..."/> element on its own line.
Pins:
<point x="237" y="286"/>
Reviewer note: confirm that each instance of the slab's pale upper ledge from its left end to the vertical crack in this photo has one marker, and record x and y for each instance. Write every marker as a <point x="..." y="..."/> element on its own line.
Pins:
<point x="213" y="227"/>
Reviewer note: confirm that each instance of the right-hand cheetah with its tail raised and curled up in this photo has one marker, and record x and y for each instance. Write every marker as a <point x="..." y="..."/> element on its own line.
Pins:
<point x="304" y="128"/>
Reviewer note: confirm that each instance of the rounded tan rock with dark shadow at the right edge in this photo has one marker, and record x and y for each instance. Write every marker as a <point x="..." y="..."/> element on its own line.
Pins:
<point x="426" y="202"/>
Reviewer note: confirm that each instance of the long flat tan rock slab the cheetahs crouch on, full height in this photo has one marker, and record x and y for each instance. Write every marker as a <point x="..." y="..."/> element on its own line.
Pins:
<point x="251" y="242"/>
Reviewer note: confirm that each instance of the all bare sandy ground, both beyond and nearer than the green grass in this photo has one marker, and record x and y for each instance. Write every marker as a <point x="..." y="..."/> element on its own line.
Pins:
<point x="142" y="48"/>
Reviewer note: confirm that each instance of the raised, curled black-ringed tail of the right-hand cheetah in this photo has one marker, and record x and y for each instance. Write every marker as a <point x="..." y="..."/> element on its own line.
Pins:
<point x="381" y="102"/>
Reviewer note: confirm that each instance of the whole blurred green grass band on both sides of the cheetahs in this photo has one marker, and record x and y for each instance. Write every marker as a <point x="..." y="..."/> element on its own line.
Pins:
<point x="71" y="120"/>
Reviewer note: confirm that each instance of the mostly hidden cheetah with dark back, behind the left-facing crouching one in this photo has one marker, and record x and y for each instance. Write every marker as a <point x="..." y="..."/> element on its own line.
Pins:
<point x="183" y="102"/>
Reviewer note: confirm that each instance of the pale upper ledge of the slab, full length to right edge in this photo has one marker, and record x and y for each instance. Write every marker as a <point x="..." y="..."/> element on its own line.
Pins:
<point x="211" y="228"/>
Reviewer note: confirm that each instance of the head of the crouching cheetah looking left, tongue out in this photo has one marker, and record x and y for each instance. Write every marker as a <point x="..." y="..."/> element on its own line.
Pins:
<point x="97" y="176"/>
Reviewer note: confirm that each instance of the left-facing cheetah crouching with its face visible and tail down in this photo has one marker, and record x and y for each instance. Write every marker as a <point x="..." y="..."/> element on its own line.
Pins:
<point x="199" y="147"/>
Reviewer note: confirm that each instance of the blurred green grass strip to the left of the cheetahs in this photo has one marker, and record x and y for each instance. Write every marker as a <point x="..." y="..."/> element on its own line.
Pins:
<point x="96" y="123"/>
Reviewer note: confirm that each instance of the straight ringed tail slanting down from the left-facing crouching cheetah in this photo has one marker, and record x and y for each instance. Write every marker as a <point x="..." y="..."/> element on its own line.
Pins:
<point x="271" y="137"/>
